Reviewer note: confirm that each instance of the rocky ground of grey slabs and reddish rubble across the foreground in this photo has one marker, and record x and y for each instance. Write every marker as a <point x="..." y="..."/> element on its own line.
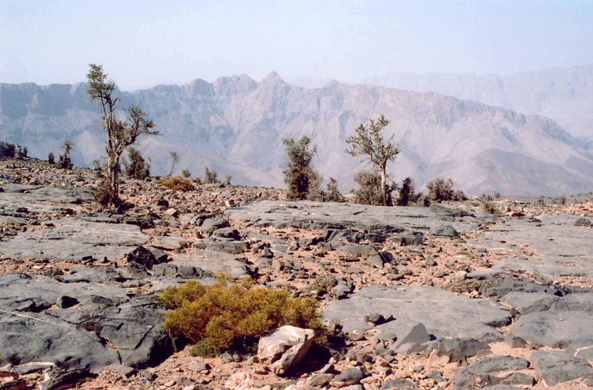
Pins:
<point x="446" y="297"/>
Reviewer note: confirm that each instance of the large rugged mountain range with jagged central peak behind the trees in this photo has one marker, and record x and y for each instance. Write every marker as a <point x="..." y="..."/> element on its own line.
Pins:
<point x="236" y="126"/>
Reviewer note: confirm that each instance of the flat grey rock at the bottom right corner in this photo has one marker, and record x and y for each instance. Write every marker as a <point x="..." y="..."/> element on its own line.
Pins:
<point x="554" y="367"/>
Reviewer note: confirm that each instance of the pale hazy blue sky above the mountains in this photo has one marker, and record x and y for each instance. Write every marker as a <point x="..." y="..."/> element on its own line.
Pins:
<point x="144" y="43"/>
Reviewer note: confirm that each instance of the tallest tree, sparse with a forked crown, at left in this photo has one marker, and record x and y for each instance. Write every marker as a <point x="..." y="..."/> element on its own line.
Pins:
<point x="120" y="133"/>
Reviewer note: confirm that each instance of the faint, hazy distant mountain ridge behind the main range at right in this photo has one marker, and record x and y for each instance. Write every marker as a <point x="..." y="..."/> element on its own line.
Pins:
<point x="562" y="94"/>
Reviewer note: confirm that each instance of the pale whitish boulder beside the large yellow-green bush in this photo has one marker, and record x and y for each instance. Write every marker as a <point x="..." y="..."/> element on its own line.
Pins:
<point x="285" y="347"/>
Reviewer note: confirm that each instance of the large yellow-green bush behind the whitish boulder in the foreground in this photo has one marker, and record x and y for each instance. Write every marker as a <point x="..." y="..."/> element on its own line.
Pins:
<point x="231" y="315"/>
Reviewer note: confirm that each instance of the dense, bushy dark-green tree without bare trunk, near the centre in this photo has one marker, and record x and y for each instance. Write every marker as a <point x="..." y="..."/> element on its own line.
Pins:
<point x="299" y="175"/>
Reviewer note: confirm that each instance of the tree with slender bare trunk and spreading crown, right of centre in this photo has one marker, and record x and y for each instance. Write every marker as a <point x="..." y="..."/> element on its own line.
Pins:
<point x="370" y="143"/>
